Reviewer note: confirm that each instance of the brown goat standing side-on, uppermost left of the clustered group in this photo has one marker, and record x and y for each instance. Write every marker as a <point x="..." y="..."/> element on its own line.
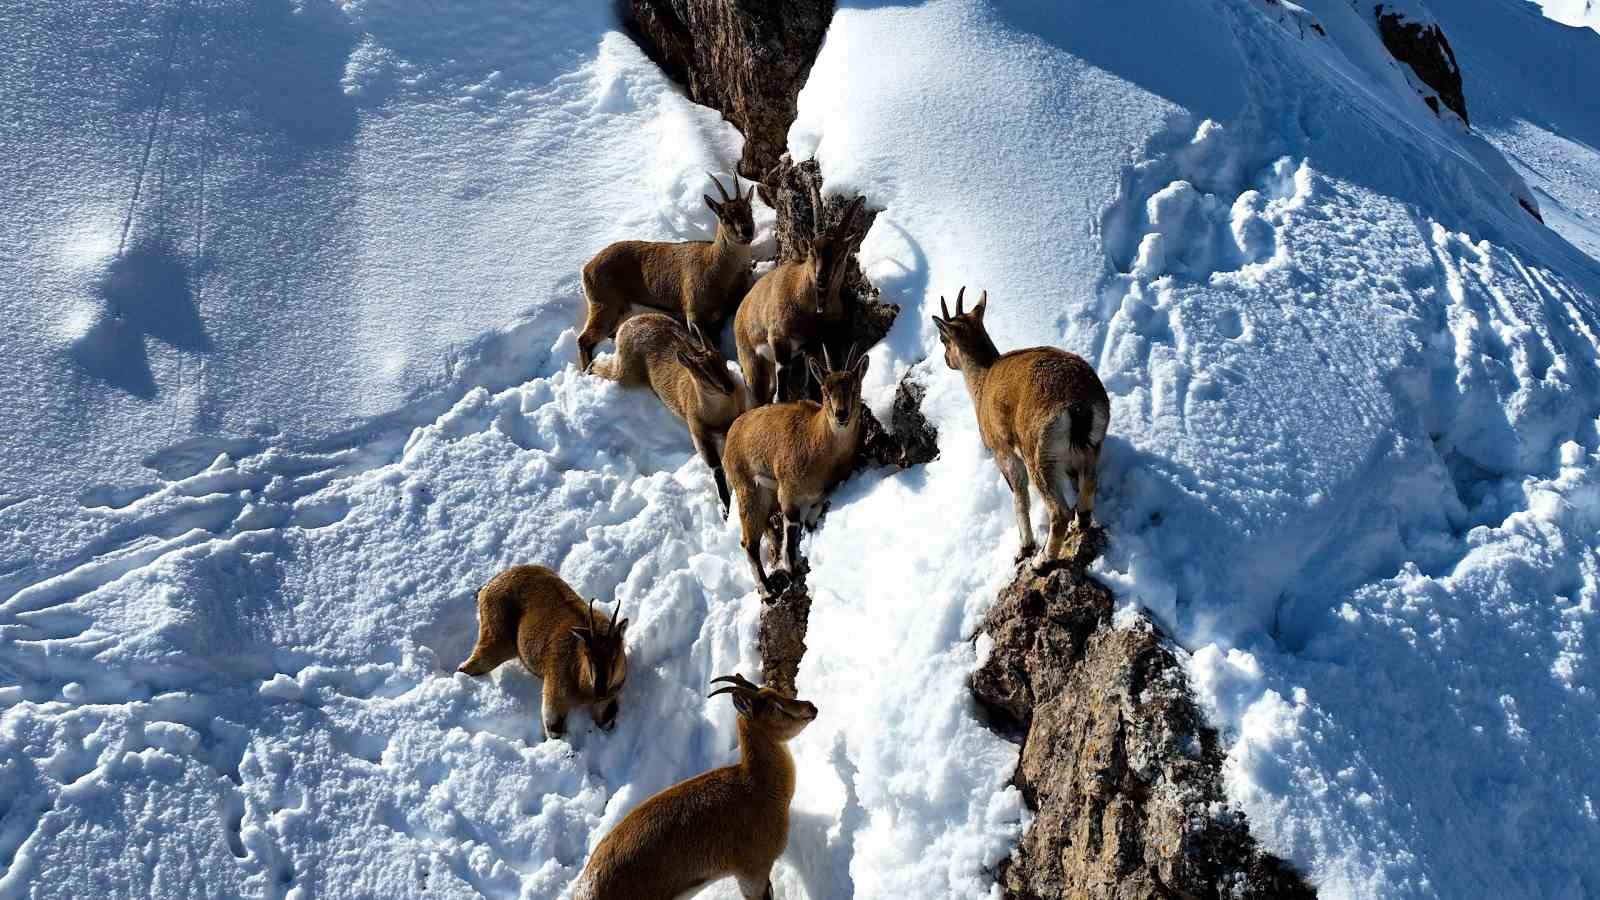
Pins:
<point x="695" y="279"/>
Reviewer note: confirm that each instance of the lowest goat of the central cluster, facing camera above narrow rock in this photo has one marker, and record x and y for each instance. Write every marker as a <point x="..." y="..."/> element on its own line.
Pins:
<point x="793" y="456"/>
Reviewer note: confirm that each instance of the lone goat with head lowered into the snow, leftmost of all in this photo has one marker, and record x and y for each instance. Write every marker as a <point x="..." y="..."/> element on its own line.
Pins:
<point x="529" y="613"/>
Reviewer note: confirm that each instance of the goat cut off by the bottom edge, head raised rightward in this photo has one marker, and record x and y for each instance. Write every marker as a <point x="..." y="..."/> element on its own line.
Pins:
<point x="726" y="822"/>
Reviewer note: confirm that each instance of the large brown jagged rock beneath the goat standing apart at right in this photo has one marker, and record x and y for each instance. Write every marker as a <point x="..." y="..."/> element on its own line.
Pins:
<point x="1118" y="763"/>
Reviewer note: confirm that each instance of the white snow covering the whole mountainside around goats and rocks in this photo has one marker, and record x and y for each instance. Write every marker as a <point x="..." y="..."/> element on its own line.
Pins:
<point x="292" y="292"/>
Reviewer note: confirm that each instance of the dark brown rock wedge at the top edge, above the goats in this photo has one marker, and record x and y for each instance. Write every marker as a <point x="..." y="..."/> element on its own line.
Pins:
<point x="743" y="58"/>
